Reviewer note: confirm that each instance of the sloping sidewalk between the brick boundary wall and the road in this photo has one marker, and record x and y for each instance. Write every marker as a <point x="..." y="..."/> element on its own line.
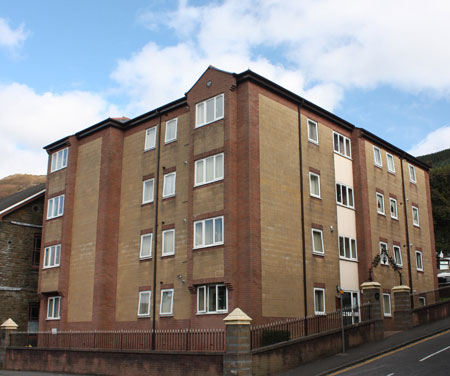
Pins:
<point x="359" y="354"/>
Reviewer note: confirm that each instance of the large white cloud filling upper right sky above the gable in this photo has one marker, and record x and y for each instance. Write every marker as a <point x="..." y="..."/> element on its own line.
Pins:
<point x="347" y="44"/>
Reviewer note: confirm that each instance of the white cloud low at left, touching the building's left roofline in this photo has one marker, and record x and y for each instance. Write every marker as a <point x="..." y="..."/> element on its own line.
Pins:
<point x="29" y="120"/>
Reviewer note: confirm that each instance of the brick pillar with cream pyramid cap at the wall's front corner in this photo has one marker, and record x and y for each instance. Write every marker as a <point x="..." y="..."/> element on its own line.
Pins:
<point x="237" y="359"/>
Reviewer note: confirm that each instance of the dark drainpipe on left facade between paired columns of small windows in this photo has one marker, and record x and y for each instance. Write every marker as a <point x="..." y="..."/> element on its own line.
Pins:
<point x="155" y="230"/>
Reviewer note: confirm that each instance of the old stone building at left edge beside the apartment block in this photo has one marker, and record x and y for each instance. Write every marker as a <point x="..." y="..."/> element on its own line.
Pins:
<point x="20" y="244"/>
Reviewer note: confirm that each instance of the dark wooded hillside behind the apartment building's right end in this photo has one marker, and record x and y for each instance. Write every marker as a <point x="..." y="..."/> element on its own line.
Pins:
<point x="440" y="196"/>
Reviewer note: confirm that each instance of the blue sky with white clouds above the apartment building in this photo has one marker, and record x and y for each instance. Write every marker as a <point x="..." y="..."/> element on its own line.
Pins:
<point x="65" y="65"/>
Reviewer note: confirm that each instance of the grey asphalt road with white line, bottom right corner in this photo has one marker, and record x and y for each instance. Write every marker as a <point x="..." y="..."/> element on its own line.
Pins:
<point x="430" y="356"/>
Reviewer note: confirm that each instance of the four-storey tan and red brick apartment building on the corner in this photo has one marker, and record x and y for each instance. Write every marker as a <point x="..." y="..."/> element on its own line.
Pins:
<point x="239" y="194"/>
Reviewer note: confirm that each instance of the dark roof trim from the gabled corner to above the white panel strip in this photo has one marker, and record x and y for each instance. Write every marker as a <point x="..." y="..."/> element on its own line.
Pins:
<point x="281" y="91"/>
